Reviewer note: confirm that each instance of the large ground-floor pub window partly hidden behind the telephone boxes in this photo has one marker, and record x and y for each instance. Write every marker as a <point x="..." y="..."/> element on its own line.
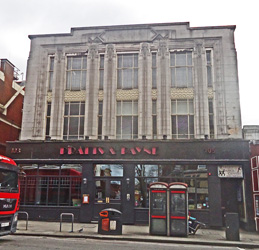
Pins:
<point x="193" y="175"/>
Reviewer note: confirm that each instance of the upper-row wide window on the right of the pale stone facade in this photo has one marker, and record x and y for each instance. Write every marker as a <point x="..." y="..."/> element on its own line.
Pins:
<point x="181" y="67"/>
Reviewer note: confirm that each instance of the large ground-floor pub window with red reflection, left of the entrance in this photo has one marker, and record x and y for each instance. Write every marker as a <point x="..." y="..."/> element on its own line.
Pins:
<point x="51" y="185"/>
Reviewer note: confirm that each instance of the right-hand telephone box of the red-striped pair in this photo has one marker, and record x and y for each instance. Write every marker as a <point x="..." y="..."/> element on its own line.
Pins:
<point x="178" y="209"/>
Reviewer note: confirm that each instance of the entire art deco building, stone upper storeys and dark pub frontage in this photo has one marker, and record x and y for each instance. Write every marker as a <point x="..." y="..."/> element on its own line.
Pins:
<point x="114" y="108"/>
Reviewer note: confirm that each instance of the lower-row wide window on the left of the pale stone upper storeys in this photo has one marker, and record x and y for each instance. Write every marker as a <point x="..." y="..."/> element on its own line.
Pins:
<point x="74" y="121"/>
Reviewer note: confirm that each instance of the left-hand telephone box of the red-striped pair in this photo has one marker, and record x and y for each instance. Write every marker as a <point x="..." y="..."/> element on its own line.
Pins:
<point x="158" y="208"/>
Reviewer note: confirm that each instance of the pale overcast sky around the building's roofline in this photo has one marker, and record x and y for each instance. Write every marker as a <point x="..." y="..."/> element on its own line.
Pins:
<point x="20" y="18"/>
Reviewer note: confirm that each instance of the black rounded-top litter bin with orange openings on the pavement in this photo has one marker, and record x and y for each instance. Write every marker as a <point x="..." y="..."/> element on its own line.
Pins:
<point x="110" y="222"/>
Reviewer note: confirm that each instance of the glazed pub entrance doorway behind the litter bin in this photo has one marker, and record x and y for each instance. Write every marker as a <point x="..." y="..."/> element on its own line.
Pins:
<point x="108" y="187"/>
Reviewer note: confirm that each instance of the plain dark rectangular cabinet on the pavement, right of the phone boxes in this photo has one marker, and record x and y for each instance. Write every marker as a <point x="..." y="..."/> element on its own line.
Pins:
<point x="232" y="226"/>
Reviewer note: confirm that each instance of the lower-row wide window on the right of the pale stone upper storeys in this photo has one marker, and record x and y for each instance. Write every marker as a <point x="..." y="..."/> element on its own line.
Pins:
<point x="182" y="119"/>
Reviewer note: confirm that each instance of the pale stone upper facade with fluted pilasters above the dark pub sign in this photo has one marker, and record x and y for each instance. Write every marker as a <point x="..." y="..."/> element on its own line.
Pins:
<point x="180" y="82"/>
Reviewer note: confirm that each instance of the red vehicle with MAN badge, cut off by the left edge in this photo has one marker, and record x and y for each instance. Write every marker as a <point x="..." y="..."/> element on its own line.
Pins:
<point x="9" y="195"/>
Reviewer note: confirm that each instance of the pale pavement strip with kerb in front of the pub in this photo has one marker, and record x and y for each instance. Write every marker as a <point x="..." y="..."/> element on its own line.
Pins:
<point x="210" y="237"/>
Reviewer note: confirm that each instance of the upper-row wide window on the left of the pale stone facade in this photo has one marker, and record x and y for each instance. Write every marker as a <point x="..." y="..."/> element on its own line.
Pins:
<point x="76" y="72"/>
